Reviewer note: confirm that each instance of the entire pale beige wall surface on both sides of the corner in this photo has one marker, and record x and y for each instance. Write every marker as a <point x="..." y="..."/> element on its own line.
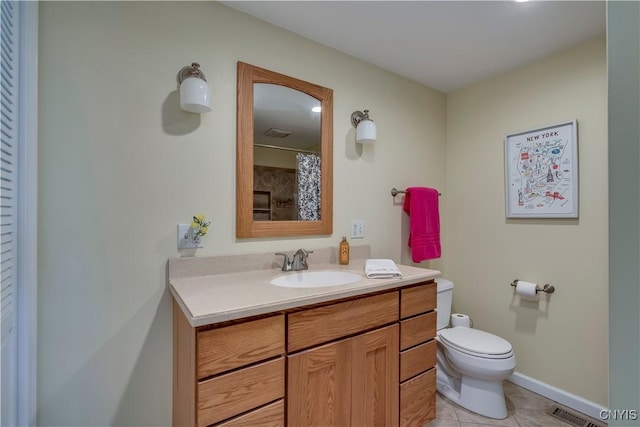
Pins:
<point x="121" y="165"/>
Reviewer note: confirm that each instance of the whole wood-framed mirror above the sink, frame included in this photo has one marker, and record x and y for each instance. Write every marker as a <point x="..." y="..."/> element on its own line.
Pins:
<point x="284" y="175"/>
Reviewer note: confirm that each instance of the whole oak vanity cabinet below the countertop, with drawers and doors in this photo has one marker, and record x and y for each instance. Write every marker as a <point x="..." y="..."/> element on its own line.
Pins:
<point x="363" y="361"/>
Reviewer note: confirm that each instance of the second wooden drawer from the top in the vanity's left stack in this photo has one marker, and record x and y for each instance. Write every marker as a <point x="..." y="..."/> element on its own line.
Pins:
<point x="231" y="394"/>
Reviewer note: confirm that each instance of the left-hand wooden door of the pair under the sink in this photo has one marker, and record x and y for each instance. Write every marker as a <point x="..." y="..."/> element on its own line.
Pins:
<point x="319" y="386"/>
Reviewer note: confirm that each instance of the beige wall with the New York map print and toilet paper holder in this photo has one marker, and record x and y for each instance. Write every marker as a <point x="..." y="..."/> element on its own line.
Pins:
<point x="561" y="341"/>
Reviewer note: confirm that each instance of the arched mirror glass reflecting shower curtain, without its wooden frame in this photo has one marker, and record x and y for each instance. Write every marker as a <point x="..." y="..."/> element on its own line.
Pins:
<point x="286" y="149"/>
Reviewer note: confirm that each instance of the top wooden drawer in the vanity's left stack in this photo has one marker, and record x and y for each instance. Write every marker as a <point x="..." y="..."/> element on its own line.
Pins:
<point x="234" y="346"/>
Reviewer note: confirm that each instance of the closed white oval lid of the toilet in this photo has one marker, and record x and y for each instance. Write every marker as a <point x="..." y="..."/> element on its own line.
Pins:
<point x="475" y="342"/>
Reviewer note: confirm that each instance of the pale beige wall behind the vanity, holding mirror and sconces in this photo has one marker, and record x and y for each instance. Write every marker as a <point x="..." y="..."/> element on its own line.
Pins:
<point x="121" y="165"/>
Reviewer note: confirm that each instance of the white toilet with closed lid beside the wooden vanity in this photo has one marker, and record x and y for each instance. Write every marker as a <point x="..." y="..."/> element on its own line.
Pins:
<point x="471" y="364"/>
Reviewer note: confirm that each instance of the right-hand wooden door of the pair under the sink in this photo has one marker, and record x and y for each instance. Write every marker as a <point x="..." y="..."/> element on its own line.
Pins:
<point x="375" y="396"/>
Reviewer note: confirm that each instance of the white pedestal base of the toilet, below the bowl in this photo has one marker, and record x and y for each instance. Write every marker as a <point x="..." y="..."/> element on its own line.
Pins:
<point x="479" y="396"/>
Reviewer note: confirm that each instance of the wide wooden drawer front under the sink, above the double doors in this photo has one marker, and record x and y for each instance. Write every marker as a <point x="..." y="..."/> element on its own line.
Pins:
<point x="329" y="322"/>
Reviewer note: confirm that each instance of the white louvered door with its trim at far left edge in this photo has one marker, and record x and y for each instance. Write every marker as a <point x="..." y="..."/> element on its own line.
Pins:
<point x="18" y="210"/>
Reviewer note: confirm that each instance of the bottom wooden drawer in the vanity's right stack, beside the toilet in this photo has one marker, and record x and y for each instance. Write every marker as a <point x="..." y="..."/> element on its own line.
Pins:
<point x="418" y="400"/>
